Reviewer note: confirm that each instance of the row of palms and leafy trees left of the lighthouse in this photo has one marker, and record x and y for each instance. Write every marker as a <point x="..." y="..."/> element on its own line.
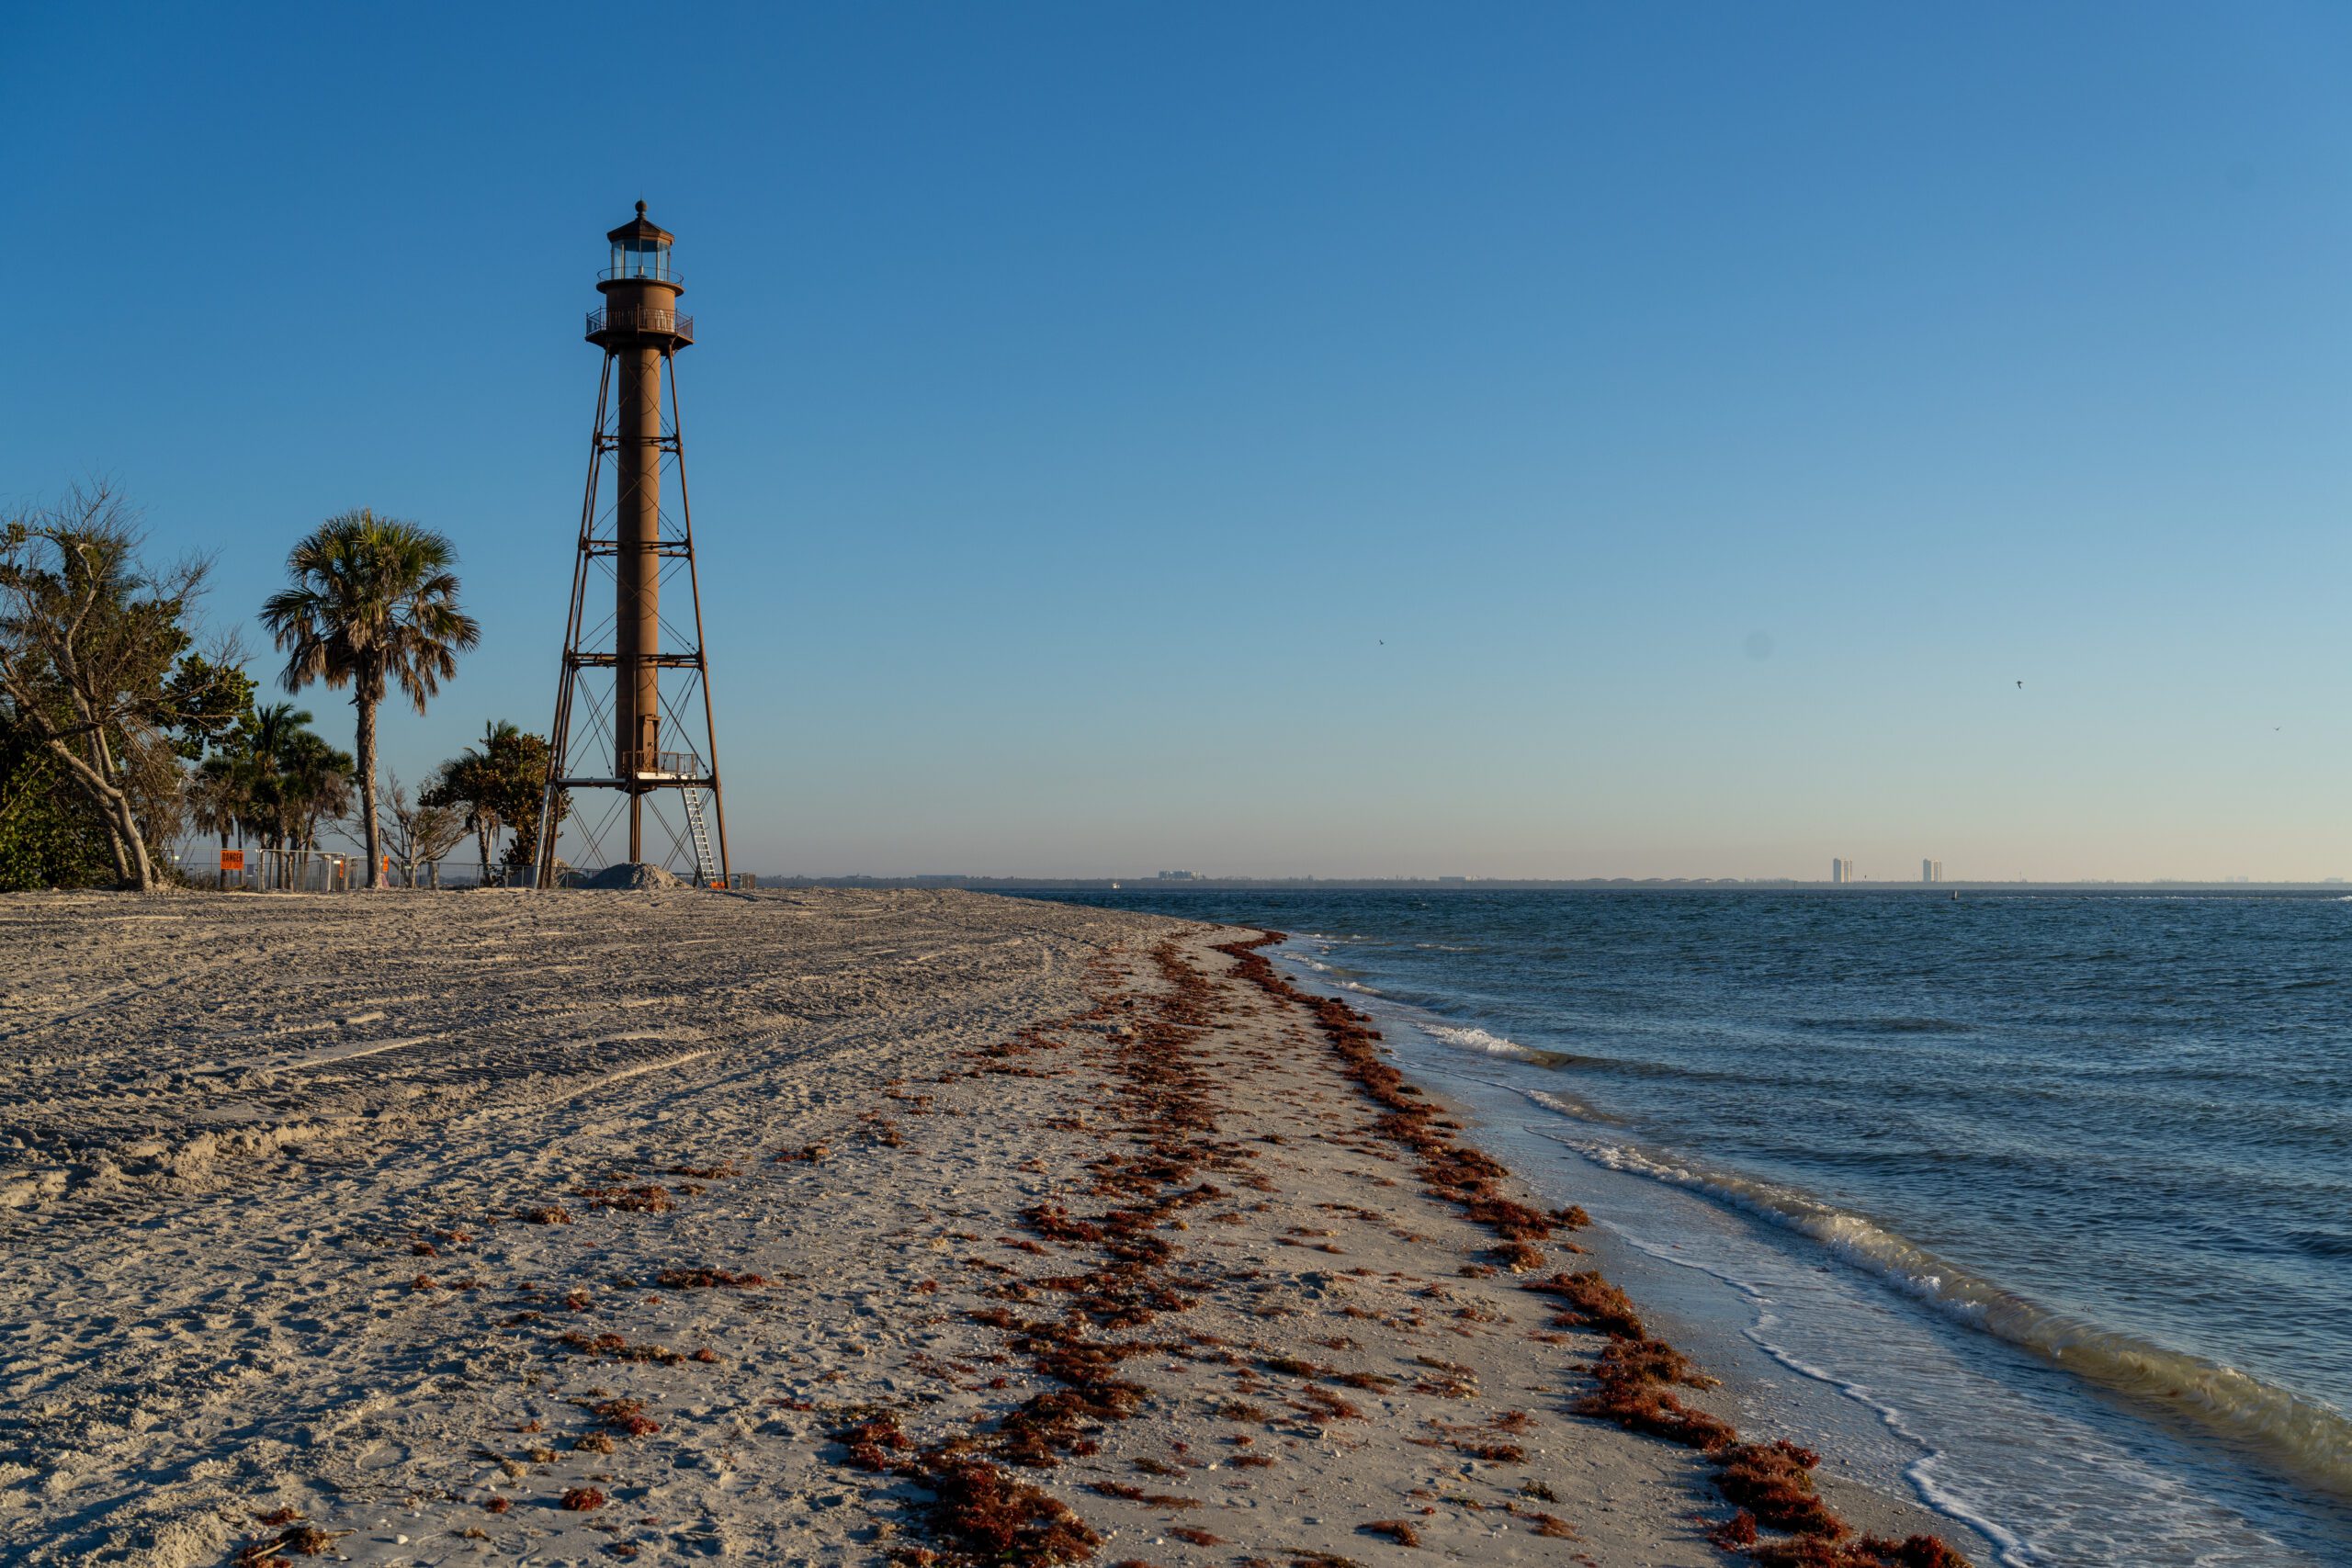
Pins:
<point x="119" y="735"/>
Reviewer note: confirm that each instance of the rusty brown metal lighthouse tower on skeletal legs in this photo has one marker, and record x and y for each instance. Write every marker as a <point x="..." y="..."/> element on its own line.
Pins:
<point x="653" y="746"/>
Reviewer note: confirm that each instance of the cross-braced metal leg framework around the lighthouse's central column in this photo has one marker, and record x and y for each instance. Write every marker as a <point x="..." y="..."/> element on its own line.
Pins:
<point x="584" y="709"/>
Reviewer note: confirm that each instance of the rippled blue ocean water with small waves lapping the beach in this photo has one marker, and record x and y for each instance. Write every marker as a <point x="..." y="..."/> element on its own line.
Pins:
<point x="2040" y="1200"/>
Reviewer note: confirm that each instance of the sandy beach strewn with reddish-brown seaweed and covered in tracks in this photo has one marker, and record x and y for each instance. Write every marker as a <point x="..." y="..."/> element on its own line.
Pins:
<point x="784" y="1228"/>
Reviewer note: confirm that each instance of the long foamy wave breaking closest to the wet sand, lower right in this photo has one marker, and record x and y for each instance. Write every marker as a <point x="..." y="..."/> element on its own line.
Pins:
<point x="2301" y="1435"/>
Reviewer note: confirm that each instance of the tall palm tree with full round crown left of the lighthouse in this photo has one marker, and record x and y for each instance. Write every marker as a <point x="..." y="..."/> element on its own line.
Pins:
<point x="373" y="608"/>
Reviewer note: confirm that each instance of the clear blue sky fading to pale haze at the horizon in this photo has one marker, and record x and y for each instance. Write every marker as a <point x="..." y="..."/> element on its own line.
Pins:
<point x="1716" y="408"/>
